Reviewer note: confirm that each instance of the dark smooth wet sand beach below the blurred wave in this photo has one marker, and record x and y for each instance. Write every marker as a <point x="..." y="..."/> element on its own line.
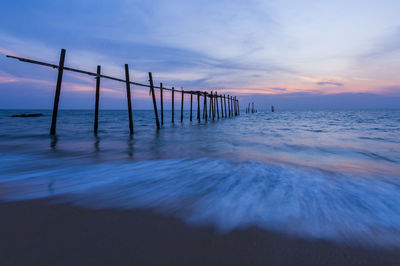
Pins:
<point x="39" y="233"/>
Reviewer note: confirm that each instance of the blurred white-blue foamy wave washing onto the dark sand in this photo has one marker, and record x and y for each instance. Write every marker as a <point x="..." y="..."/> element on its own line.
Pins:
<point x="222" y="193"/>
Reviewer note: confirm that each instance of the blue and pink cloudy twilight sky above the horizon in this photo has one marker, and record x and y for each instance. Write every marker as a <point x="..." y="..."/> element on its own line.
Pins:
<point x="293" y="54"/>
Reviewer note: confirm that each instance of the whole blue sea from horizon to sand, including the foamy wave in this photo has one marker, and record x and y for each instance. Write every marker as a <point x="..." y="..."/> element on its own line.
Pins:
<point x="331" y="175"/>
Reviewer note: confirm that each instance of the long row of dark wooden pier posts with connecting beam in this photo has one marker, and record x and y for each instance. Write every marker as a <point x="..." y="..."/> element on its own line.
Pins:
<point x="214" y="107"/>
